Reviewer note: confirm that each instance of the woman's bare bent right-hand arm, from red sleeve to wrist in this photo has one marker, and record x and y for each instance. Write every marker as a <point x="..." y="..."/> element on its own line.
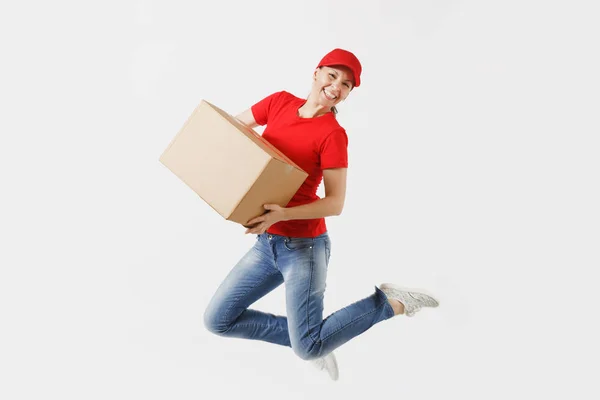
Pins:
<point x="333" y="202"/>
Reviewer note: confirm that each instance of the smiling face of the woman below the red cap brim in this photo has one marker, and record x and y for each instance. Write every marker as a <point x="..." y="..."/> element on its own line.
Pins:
<point x="331" y="85"/>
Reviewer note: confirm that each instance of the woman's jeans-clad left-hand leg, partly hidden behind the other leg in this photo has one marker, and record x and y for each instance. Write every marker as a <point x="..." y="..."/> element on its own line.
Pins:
<point x="251" y="278"/>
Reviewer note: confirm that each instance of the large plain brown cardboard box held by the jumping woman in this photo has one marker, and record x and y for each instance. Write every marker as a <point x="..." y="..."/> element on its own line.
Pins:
<point x="230" y="166"/>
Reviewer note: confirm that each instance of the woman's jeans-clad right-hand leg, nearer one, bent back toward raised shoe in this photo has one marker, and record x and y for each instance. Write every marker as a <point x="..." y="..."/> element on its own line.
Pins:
<point x="303" y="263"/>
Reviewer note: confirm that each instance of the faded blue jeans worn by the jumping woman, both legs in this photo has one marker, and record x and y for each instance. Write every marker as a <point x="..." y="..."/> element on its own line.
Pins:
<point x="301" y="264"/>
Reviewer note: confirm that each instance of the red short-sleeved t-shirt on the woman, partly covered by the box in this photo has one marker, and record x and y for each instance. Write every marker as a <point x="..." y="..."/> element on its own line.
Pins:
<point x="314" y="144"/>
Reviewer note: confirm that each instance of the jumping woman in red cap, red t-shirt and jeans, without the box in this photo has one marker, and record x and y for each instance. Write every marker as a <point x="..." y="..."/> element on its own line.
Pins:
<point x="293" y="246"/>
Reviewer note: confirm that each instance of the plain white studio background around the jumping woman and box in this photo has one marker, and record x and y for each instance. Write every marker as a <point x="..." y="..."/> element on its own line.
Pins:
<point x="474" y="173"/>
